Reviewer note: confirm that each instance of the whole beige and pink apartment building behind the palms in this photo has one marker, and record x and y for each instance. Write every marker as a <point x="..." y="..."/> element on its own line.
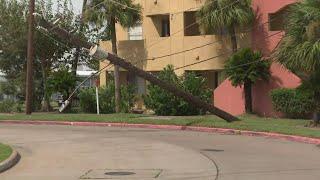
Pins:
<point x="169" y="34"/>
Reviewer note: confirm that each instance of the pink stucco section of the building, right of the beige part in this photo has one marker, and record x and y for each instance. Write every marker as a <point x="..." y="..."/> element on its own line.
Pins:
<point x="231" y="99"/>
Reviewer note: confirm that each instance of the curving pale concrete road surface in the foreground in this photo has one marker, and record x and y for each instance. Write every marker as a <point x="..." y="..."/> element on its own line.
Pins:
<point x="69" y="153"/>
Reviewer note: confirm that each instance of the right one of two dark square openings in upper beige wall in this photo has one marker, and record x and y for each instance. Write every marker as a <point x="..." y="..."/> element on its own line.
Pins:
<point x="191" y="27"/>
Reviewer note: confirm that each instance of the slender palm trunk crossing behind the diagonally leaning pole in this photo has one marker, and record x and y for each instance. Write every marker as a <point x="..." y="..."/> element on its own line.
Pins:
<point x="116" y="67"/>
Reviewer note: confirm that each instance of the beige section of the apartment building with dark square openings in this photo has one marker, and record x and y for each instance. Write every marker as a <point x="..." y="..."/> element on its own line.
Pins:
<point x="169" y="27"/>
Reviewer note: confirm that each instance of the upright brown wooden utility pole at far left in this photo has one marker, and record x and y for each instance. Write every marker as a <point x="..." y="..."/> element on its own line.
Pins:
<point x="30" y="56"/>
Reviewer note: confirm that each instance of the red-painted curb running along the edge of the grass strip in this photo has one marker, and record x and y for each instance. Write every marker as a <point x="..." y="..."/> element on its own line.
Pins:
<point x="174" y="127"/>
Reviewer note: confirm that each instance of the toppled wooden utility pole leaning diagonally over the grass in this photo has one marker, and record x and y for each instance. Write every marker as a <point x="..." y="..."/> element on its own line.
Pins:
<point x="100" y="54"/>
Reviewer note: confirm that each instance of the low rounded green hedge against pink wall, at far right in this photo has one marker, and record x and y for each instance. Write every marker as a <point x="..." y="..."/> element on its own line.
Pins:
<point x="293" y="102"/>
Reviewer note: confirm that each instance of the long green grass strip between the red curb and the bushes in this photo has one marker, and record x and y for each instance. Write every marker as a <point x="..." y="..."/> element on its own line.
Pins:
<point x="249" y="122"/>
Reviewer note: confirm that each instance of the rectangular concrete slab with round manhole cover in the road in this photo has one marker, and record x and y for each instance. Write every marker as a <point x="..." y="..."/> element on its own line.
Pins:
<point x="122" y="174"/>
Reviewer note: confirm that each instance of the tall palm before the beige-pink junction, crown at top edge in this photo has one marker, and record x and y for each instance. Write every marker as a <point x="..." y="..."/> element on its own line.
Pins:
<point x="216" y="15"/>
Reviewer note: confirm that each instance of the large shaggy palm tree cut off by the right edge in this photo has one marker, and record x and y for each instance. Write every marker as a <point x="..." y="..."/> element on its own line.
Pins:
<point x="299" y="50"/>
